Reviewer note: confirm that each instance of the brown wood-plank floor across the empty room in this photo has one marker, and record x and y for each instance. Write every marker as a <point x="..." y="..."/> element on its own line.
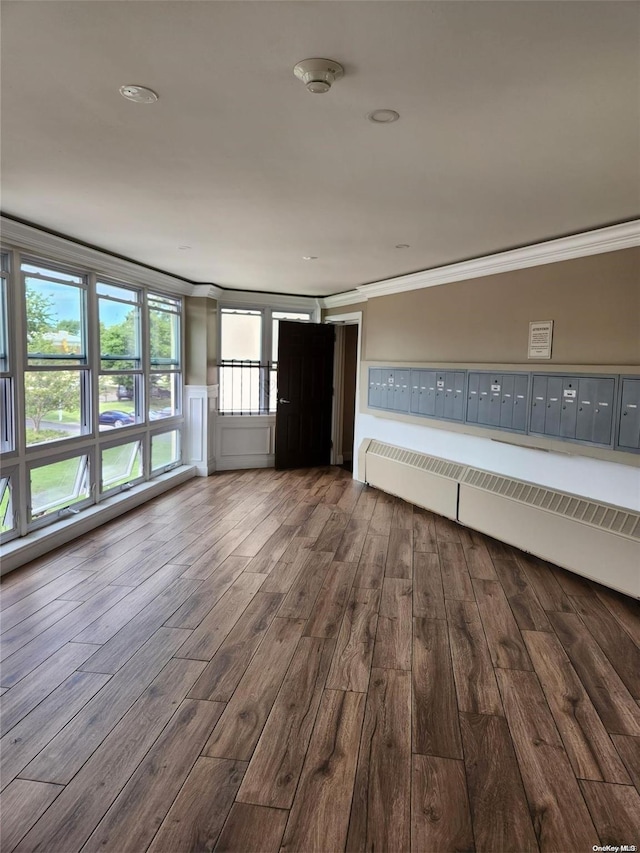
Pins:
<point x="292" y="661"/>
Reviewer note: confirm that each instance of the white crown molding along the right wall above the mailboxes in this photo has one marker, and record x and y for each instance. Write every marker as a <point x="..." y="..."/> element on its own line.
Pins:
<point x="611" y="239"/>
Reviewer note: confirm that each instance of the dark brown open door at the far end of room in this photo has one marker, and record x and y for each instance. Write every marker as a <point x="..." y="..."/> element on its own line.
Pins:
<point x="305" y="394"/>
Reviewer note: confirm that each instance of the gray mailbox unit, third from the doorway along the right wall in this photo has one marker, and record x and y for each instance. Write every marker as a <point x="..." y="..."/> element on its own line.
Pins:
<point x="498" y="400"/>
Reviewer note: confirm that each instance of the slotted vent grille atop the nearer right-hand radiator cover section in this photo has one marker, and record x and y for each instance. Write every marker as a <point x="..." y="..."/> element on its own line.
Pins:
<point x="602" y="516"/>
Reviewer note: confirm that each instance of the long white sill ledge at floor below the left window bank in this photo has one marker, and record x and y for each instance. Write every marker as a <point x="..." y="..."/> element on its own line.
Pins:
<point x="17" y="552"/>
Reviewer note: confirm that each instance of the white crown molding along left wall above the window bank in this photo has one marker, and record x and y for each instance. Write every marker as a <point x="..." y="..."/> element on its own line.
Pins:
<point x="54" y="247"/>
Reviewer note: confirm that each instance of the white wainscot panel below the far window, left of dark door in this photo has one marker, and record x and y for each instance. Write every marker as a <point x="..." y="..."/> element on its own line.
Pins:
<point x="245" y="441"/>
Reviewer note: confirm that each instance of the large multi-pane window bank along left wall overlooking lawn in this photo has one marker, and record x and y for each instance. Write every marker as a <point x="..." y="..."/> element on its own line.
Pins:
<point x="99" y="363"/>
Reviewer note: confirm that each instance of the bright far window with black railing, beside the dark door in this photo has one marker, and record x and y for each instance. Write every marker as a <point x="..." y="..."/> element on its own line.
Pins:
<point x="248" y="358"/>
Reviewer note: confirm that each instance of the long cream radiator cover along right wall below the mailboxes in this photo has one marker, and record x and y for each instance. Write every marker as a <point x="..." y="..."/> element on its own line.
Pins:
<point x="595" y="540"/>
